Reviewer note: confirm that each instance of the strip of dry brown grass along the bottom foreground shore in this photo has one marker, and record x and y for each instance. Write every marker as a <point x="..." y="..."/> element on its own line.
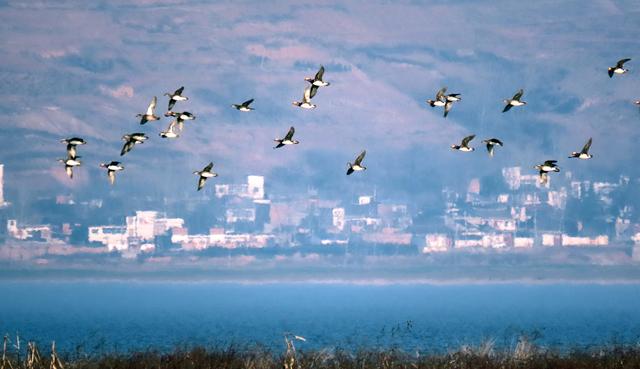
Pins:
<point x="525" y="355"/>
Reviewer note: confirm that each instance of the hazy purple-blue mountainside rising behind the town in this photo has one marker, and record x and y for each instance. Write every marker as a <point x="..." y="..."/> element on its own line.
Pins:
<point x="69" y="68"/>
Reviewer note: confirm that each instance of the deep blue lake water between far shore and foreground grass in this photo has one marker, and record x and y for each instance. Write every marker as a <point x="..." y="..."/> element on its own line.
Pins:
<point x="106" y="317"/>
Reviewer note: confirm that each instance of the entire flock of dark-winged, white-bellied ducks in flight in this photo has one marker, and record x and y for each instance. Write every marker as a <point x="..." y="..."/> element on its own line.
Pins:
<point x="176" y="126"/>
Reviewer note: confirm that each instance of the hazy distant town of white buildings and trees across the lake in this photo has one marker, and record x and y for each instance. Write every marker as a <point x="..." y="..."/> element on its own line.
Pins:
<point x="518" y="214"/>
